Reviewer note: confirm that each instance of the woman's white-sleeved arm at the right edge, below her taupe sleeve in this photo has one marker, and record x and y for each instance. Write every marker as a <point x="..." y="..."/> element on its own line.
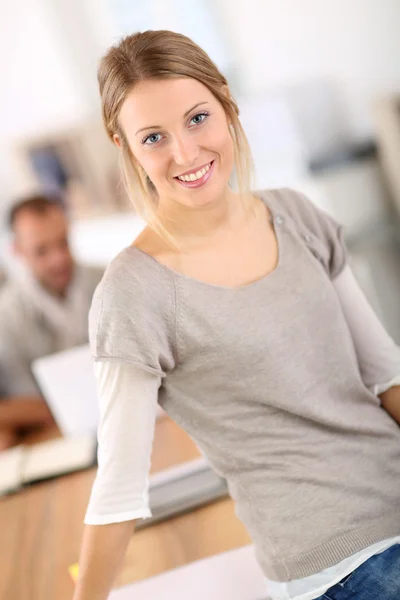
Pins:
<point x="378" y="355"/>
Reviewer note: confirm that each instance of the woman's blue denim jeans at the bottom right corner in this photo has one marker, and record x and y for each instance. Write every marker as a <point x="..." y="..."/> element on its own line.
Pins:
<point x="378" y="578"/>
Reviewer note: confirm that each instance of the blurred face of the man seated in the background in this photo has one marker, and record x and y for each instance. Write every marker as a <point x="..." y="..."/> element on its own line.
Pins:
<point x="41" y="241"/>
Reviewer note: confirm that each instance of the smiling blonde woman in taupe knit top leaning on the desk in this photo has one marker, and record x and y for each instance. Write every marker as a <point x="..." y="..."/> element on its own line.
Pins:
<point x="237" y="312"/>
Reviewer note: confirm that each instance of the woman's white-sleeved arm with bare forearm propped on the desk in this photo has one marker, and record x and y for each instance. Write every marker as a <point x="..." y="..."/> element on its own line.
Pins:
<point x="128" y="407"/>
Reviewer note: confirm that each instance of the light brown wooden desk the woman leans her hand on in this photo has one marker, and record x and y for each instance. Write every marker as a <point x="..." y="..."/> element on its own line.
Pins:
<point x="41" y="529"/>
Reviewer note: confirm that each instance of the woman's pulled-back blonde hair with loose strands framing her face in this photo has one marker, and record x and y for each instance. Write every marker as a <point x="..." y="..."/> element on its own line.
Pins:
<point x="156" y="55"/>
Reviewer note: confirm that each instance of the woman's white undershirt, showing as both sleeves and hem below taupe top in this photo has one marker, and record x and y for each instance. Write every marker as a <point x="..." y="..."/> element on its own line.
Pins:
<point x="128" y="409"/>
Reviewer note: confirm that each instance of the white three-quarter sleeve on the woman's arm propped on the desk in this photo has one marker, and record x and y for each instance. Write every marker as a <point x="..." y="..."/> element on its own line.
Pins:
<point x="128" y="408"/>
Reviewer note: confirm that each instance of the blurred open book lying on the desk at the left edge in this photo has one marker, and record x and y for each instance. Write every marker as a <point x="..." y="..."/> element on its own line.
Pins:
<point x="26" y="464"/>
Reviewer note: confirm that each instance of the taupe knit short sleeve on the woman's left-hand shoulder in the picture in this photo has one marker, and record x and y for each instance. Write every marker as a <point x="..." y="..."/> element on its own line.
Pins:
<point x="132" y="317"/>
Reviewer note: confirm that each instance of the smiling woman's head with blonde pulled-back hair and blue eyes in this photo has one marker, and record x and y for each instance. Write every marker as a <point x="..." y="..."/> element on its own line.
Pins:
<point x="197" y="144"/>
